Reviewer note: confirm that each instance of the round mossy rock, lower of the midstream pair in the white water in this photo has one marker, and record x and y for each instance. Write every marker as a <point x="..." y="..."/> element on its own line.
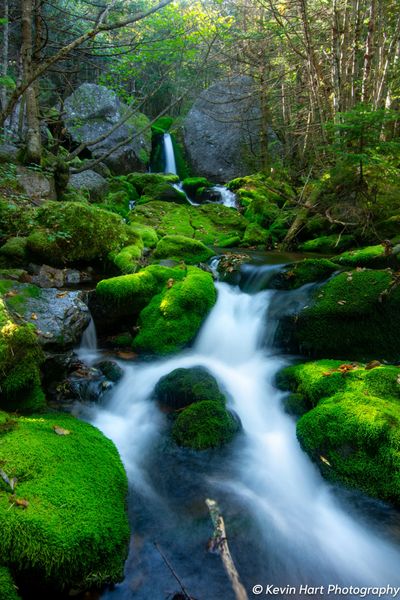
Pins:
<point x="203" y="425"/>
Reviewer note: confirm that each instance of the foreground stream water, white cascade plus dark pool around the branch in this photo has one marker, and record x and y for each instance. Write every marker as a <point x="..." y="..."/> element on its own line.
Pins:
<point x="285" y="524"/>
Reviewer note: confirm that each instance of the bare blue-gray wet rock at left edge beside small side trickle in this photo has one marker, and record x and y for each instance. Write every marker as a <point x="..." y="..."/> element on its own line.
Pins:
<point x="59" y="317"/>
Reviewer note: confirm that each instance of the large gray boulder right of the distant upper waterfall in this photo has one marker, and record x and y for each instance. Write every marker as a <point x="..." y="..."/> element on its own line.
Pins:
<point x="222" y="130"/>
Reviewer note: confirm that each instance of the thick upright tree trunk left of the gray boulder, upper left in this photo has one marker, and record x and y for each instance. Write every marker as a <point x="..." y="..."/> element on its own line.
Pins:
<point x="33" y="142"/>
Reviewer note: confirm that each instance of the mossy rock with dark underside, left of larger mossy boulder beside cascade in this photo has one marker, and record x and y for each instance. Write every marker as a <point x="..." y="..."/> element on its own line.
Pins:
<point x="127" y="295"/>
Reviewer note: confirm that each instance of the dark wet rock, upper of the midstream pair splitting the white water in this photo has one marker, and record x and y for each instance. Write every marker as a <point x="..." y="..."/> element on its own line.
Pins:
<point x="182" y="387"/>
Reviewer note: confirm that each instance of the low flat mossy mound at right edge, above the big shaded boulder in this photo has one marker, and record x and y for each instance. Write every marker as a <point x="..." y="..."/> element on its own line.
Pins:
<point x="372" y="257"/>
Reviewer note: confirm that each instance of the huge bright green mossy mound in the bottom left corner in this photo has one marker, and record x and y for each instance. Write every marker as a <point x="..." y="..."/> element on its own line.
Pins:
<point x="73" y="530"/>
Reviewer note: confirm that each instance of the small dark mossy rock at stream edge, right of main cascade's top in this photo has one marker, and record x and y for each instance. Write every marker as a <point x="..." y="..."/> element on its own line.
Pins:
<point x="306" y="271"/>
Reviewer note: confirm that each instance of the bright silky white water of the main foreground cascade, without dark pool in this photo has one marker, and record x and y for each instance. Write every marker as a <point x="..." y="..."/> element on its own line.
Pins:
<point x="303" y="530"/>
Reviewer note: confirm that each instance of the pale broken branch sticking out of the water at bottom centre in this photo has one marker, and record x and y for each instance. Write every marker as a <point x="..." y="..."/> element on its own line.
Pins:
<point x="219" y="543"/>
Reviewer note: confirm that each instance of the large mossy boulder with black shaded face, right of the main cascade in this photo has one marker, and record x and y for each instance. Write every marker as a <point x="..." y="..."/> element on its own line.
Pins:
<point x="355" y="315"/>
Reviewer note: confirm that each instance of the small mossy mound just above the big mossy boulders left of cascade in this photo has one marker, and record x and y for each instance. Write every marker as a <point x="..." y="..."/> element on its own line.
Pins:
<point x="179" y="247"/>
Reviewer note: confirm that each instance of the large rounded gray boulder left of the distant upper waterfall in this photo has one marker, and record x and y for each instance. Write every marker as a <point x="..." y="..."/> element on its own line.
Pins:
<point x="93" y="110"/>
